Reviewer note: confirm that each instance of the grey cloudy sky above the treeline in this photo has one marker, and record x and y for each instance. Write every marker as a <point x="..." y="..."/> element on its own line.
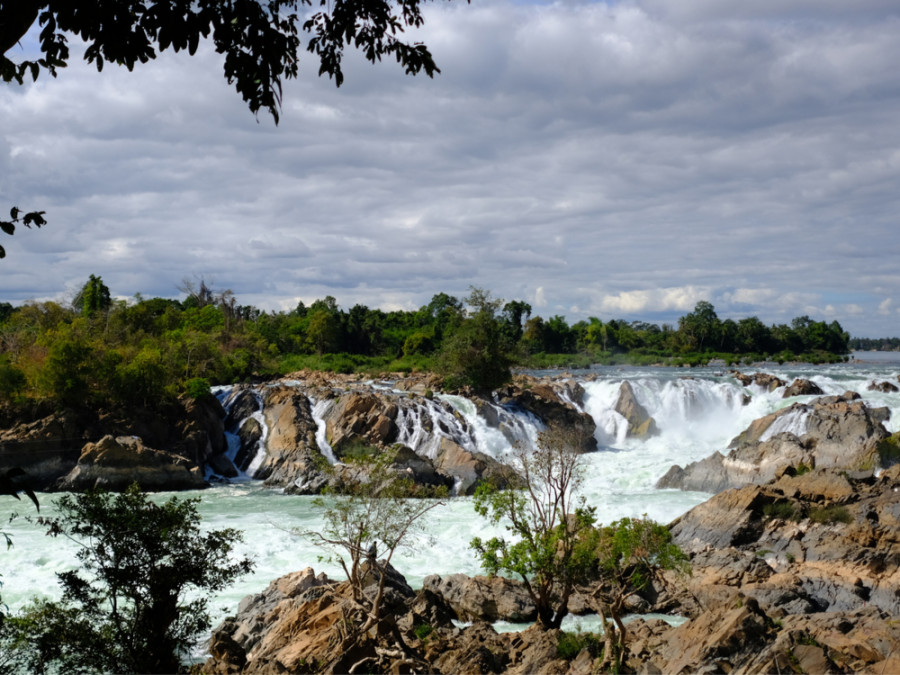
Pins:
<point x="619" y="159"/>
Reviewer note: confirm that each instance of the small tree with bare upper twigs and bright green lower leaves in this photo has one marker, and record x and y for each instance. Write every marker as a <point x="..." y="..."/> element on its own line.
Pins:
<point x="553" y="546"/>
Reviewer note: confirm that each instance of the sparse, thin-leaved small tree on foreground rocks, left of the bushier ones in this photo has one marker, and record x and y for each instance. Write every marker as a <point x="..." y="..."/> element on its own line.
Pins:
<point x="371" y="518"/>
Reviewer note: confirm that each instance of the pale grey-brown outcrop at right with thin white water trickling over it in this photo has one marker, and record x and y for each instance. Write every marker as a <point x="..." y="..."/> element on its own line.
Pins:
<point x="832" y="431"/>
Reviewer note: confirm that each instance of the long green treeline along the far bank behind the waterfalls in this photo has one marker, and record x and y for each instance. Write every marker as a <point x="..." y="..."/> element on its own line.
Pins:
<point x="97" y="351"/>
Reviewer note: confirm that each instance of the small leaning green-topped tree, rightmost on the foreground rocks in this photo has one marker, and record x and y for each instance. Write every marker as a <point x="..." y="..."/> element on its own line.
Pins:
<point x="631" y="553"/>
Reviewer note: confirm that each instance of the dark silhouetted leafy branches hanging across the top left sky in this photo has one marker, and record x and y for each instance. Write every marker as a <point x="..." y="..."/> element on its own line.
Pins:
<point x="260" y="41"/>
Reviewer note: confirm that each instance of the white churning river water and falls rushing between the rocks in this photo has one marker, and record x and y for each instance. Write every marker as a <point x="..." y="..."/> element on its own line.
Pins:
<point x="697" y="411"/>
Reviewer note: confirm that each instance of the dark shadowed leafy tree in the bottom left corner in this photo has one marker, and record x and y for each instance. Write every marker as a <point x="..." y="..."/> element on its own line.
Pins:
<point x="131" y="612"/>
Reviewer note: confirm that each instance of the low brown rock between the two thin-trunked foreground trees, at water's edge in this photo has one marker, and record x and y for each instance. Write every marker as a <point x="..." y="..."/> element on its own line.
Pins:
<point x="483" y="598"/>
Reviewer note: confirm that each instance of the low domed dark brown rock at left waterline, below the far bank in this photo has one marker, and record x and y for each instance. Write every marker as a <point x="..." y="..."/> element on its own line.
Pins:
<point x="115" y="463"/>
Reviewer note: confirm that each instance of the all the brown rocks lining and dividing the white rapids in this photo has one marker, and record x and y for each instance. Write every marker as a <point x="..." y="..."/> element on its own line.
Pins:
<point x="795" y="559"/>
